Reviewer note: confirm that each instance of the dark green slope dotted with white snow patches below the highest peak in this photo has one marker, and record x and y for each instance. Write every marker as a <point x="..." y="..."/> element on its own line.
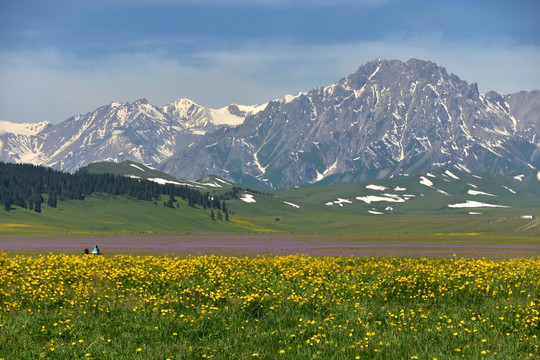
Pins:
<point x="443" y="190"/>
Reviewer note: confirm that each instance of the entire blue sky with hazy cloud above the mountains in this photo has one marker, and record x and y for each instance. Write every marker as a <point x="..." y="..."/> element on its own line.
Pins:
<point x="61" y="58"/>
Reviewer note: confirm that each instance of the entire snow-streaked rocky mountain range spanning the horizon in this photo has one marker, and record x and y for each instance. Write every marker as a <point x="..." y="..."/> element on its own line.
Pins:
<point x="386" y="119"/>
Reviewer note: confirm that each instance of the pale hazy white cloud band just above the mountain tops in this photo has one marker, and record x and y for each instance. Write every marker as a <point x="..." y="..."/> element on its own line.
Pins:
<point x="50" y="85"/>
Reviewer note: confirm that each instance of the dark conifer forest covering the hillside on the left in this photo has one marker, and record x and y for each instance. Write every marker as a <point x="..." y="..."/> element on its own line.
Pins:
<point x="24" y="185"/>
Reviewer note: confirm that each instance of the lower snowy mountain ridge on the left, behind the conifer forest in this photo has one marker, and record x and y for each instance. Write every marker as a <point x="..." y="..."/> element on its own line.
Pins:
<point x="138" y="131"/>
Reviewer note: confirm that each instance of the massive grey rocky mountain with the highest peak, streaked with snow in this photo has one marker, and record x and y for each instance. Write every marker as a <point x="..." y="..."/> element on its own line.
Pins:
<point x="386" y="119"/>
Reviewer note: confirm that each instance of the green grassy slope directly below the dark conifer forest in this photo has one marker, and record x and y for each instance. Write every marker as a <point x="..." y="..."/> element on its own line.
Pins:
<point x="107" y="215"/>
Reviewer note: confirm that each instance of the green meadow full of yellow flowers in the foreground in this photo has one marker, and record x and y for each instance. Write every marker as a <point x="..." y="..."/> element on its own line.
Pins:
<point x="290" y="307"/>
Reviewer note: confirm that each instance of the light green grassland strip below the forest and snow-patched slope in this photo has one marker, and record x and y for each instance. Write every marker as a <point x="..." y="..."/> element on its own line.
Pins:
<point x="106" y="216"/>
